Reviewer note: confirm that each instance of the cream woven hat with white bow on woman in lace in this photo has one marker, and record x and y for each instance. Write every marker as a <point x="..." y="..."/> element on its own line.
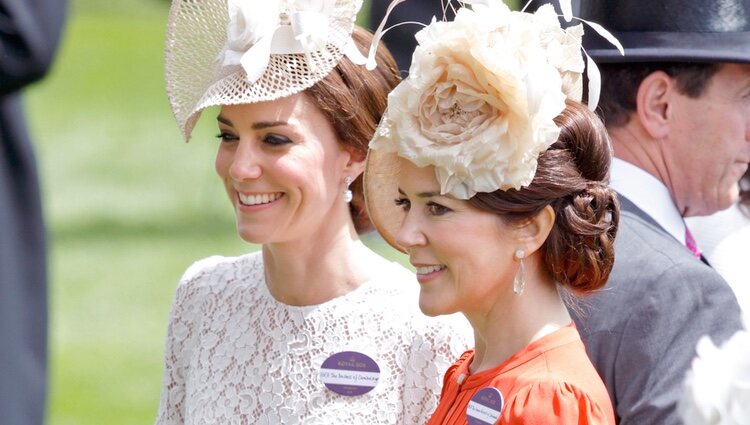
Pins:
<point x="224" y="52"/>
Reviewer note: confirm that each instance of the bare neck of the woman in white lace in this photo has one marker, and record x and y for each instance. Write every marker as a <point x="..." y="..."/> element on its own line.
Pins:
<point x="316" y="270"/>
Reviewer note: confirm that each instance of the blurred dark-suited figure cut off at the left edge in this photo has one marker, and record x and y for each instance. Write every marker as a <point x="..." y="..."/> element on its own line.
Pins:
<point x="29" y="34"/>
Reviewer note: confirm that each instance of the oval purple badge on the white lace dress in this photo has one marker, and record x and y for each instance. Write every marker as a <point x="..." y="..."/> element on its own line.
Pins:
<point x="350" y="373"/>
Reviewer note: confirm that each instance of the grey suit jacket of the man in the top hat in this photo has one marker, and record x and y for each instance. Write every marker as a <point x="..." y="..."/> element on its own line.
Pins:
<point x="641" y="329"/>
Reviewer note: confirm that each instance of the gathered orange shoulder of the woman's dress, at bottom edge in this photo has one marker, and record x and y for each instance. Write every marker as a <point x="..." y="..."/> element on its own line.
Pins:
<point x="556" y="402"/>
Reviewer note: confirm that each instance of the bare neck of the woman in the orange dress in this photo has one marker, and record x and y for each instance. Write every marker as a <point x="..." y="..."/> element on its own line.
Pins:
<point x="539" y="311"/>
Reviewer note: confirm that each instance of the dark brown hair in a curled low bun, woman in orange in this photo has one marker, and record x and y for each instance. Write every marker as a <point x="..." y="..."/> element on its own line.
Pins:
<point x="571" y="177"/>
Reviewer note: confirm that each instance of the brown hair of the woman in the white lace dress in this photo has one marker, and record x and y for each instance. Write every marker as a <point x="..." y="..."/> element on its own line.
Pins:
<point x="353" y="99"/>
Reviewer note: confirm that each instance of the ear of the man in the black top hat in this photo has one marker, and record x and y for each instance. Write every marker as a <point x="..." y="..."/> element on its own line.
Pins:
<point x="653" y="103"/>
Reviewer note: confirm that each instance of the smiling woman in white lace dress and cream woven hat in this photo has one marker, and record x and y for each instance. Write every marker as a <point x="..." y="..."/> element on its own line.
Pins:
<point x="315" y="328"/>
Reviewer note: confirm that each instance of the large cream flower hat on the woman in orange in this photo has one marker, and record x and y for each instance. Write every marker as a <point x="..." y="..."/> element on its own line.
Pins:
<point x="479" y="103"/>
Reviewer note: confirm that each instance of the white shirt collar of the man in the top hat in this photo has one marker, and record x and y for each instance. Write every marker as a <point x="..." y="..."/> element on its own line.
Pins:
<point x="649" y="194"/>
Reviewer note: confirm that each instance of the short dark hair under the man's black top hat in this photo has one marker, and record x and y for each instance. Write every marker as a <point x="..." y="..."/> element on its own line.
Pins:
<point x="620" y="84"/>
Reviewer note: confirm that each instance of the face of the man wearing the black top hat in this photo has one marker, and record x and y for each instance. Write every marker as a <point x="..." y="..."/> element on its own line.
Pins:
<point x="709" y="143"/>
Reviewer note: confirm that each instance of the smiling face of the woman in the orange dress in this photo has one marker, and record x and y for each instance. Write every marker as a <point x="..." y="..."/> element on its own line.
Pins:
<point x="463" y="256"/>
